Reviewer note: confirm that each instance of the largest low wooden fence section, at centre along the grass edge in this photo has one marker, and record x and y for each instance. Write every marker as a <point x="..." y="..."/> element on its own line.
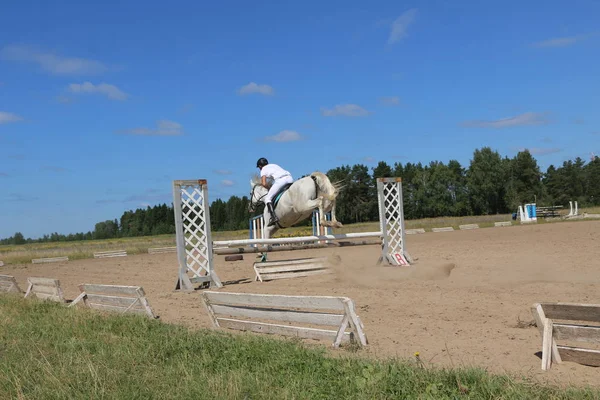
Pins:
<point x="251" y="312"/>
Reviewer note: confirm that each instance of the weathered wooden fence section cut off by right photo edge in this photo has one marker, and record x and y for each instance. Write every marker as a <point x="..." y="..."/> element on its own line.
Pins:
<point x="546" y="316"/>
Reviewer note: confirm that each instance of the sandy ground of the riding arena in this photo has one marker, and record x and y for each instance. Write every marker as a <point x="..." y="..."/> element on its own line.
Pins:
<point x="461" y="304"/>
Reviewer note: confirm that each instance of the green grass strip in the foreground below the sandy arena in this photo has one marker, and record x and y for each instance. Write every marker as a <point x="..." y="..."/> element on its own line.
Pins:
<point x="50" y="352"/>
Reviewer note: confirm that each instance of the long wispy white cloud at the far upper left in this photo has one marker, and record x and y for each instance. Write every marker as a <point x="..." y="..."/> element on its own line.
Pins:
<point x="53" y="63"/>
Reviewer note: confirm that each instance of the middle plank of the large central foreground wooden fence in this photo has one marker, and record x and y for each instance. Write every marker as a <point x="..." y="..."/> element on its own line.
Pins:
<point x="279" y="315"/>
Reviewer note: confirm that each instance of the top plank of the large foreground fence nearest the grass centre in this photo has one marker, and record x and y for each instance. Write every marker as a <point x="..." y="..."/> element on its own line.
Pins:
<point x="272" y="300"/>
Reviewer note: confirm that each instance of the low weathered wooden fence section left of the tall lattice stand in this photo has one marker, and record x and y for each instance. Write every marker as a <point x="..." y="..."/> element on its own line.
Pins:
<point x="116" y="298"/>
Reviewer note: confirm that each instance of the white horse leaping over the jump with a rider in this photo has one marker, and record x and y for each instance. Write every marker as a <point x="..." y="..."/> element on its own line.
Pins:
<point x="298" y="201"/>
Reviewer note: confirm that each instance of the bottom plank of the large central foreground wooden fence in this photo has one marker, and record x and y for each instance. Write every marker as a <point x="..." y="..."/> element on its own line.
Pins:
<point x="284" y="330"/>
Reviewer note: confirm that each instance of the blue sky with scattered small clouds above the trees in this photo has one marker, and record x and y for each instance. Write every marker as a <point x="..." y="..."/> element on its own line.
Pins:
<point x="103" y="105"/>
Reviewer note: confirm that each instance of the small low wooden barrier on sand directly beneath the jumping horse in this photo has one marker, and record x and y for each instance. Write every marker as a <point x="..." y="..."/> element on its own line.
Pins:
<point x="284" y="269"/>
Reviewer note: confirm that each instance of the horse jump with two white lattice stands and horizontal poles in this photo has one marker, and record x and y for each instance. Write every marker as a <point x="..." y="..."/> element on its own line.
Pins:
<point x="195" y="245"/>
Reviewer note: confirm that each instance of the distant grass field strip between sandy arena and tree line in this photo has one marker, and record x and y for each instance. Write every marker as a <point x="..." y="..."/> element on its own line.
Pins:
<point x="12" y="254"/>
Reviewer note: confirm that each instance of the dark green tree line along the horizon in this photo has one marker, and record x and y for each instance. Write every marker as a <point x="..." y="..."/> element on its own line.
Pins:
<point x="490" y="184"/>
